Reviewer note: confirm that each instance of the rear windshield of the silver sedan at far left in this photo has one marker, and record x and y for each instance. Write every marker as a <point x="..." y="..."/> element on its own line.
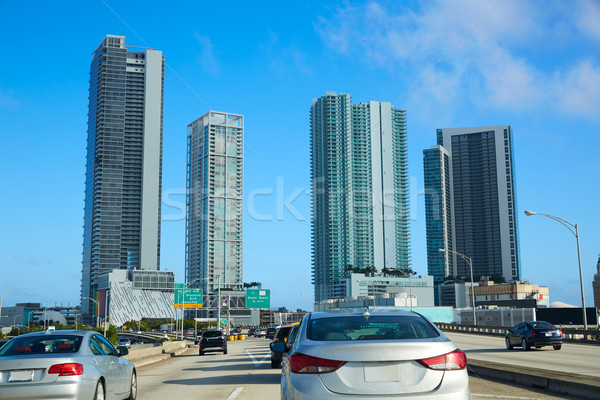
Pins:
<point x="41" y="344"/>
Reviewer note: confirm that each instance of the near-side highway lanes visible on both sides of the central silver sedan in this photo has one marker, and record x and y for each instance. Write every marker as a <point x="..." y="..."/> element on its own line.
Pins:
<point x="245" y="374"/>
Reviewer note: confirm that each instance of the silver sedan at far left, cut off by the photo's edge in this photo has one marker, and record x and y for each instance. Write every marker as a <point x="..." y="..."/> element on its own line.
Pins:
<point x="65" y="365"/>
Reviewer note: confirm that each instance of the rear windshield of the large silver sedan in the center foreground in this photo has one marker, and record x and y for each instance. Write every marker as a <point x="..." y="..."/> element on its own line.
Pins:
<point x="372" y="328"/>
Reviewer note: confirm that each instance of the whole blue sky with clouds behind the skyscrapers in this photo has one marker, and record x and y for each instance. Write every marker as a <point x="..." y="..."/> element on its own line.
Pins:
<point x="529" y="64"/>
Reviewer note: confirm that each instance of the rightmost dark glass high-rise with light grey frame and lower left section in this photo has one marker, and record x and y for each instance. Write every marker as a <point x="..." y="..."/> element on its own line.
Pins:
<point x="470" y="203"/>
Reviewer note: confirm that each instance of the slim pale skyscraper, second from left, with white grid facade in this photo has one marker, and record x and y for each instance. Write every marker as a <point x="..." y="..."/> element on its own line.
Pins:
<point x="214" y="200"/>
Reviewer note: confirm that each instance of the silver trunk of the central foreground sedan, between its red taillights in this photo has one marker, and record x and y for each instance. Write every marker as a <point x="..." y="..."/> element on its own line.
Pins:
<point x="384" y="368"/>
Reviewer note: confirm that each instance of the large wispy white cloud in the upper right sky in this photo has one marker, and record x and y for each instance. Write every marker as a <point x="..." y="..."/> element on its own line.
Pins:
<point x="488" y="52"/>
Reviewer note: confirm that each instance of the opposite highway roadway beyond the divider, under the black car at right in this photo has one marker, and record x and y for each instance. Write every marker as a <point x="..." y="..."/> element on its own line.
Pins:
<point x="575" y="358"/>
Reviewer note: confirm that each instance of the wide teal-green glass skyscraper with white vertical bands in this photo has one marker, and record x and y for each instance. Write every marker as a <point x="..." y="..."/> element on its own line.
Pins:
<point x="359" y="179"/>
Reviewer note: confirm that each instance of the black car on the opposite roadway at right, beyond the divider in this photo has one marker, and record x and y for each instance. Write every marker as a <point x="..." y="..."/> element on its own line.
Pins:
<point x="534" y="334"/>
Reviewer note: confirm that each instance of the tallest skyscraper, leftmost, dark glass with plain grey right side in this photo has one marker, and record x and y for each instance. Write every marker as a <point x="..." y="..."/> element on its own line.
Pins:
<point x="124" y="163"/>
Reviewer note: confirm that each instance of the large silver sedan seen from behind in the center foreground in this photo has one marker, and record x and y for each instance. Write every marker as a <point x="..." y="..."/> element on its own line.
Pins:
<point x="383" y="355"/>
